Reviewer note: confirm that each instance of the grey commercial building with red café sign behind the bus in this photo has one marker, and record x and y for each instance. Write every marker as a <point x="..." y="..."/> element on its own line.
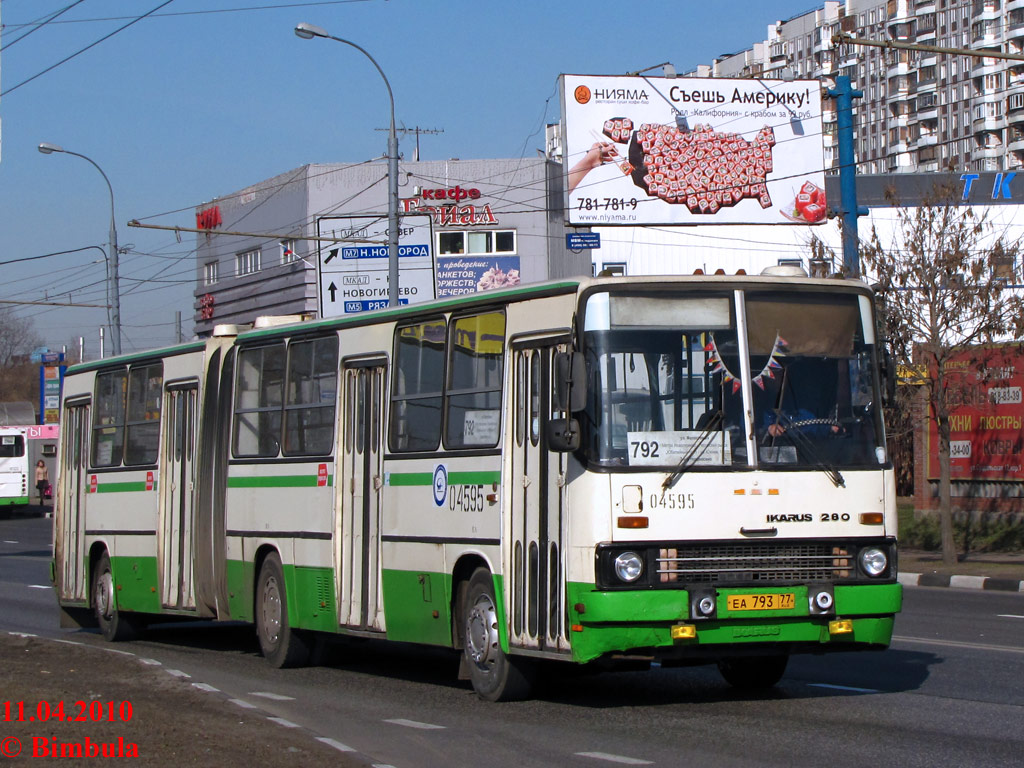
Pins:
<point x="489" y="224"/>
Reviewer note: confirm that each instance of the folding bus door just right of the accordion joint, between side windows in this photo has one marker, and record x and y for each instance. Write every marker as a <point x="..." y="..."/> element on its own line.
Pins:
<point x="358" y="530"/>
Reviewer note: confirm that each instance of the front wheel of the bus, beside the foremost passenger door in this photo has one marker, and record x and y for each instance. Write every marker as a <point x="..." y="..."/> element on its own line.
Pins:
<point x="496" y="677"/>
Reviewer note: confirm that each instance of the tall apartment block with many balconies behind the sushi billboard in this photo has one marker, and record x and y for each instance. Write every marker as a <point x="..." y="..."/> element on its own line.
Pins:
<point x="921" y="111"/>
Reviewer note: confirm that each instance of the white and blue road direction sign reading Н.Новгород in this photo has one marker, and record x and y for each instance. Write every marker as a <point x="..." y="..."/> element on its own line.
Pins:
<point x="354" y="273"/>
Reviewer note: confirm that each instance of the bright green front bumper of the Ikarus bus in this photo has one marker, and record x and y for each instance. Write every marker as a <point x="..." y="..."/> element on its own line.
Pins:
<point x="628" y="622"/>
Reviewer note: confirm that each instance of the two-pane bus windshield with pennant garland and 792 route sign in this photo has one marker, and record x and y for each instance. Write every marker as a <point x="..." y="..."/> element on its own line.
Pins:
<point x="667" y="376"/>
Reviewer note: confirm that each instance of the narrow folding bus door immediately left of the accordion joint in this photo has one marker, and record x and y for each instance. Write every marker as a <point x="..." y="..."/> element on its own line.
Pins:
<point x="178" y="492"/>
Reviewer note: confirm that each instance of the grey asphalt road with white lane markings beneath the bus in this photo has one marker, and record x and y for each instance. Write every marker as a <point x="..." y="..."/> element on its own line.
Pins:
<point x="950" y="692"/>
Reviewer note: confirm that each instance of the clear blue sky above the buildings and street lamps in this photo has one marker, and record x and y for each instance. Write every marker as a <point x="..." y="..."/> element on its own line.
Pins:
<point x="204" y="98"/>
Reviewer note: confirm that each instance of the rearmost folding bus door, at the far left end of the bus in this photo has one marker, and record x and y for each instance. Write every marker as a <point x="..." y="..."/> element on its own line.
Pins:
<point x="71" y="503"/>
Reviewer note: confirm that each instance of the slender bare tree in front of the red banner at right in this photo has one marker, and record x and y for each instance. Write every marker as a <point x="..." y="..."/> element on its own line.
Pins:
<point x="944" y="284"/>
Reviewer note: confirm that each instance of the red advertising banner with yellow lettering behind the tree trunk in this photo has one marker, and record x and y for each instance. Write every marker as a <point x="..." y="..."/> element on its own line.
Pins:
<point x="987" y="441"/>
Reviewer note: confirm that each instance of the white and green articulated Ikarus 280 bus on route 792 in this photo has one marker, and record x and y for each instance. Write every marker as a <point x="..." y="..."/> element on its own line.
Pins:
<point x="675" y="470"/>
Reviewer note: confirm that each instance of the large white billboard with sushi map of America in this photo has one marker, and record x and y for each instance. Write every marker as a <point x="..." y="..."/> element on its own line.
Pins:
<point x="693" y="151"/>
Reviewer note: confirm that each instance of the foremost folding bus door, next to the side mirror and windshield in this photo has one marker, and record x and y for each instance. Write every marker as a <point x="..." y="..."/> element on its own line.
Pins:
<point x="537" y="581"/>
